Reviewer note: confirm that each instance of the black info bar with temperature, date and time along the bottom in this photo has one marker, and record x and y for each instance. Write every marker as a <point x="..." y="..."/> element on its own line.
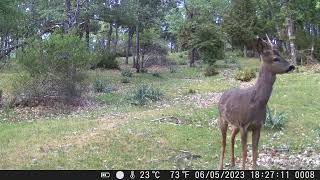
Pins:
<point x="157" y="174"/>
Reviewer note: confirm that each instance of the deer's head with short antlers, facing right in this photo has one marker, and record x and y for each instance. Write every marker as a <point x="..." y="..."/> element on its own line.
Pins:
<point x="271" y="58"/>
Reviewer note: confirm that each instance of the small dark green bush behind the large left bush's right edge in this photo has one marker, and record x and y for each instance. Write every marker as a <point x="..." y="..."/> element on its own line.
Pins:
<point x="106" y="60"/>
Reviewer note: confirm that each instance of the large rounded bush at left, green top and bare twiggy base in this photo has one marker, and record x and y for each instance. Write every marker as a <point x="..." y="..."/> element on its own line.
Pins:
<point x="52" y="67"/>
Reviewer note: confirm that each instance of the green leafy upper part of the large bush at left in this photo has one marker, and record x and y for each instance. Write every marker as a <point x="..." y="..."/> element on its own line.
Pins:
<point x="59" y="54"/>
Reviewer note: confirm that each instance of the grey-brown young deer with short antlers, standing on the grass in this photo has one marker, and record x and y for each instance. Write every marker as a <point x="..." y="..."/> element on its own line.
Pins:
<point x="244" y="110"/>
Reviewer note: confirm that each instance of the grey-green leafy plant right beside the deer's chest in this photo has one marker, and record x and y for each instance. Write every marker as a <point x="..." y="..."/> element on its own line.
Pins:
<point x="274" y="120"/>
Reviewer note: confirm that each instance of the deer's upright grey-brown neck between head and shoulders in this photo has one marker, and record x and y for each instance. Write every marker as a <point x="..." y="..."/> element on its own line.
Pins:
<point x="263" y="87"/>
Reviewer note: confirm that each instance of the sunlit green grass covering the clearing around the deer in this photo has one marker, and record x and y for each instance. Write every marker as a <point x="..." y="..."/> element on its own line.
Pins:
<point x="117" y="135"/>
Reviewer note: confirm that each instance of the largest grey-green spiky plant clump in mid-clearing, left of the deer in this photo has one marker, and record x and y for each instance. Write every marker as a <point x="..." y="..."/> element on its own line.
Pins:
<point x="146" y="93"/>
